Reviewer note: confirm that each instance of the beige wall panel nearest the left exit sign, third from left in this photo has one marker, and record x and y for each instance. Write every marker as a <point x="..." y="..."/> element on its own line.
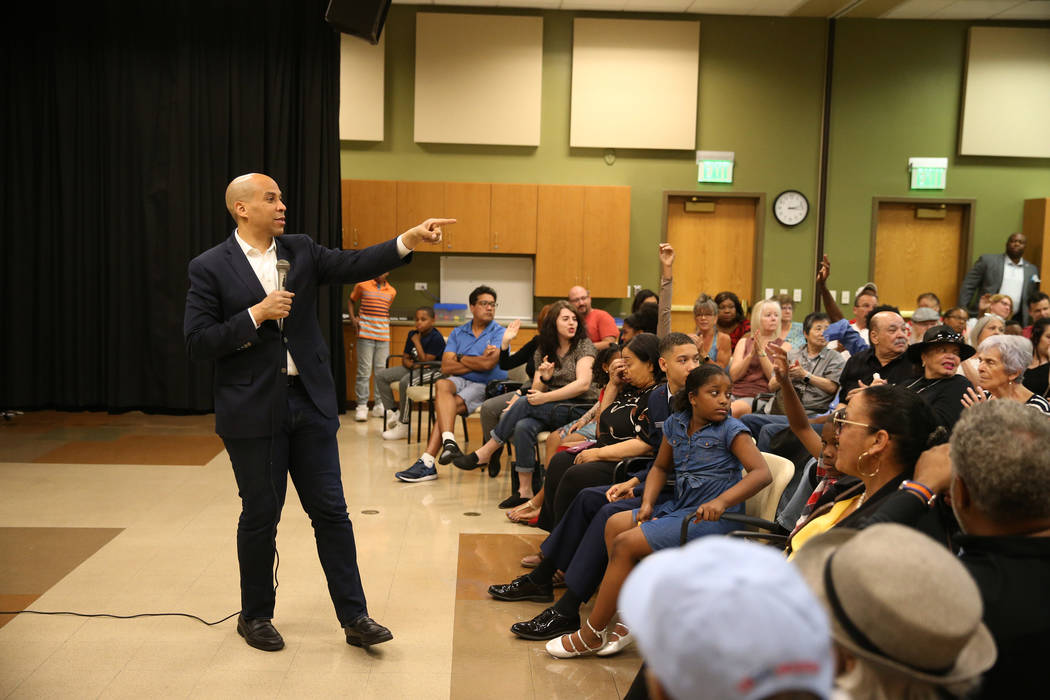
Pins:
<point x="635" y="83"/>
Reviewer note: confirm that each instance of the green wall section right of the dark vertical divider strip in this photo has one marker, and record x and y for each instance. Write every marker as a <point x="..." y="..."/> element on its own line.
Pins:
<point x="897" y="91"/>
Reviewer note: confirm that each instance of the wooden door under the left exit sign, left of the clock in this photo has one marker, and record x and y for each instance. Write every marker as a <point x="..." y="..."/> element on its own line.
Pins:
<point x="715" y="252"/>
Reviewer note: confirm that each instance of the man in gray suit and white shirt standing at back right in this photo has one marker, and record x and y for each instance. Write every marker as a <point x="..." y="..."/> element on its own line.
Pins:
<point x="1009" y="274"/>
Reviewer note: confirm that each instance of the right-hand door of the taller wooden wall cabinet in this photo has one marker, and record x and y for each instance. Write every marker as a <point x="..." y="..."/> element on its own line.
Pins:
<point x="607" y="241"/>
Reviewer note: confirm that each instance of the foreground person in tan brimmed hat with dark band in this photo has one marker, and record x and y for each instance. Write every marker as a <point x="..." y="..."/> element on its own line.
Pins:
<point x="906" y="614"/>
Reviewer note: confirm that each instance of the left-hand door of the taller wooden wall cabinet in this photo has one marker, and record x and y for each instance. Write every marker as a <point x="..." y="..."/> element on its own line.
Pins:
<point x="559" y="239"/>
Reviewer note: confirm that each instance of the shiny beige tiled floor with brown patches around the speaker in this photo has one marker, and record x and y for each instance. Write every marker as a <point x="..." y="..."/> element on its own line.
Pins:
<point x="158" y="538"/>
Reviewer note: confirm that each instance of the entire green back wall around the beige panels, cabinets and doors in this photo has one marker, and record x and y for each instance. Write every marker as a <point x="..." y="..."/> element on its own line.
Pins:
<point x="896" y="94"/>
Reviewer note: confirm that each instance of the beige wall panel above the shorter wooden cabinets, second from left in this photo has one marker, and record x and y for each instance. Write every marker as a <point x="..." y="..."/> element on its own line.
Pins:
<point x="479" y="79"/>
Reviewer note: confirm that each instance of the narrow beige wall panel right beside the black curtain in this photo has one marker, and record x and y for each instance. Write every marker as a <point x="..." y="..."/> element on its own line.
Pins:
<point x="362" y="90"/>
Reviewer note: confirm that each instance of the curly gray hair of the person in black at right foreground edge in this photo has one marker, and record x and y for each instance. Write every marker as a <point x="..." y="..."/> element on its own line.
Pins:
<point x="999" y="449"/>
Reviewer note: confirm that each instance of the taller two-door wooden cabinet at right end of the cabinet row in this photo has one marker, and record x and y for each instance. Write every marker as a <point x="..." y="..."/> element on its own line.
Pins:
<point x="583" y="238"/>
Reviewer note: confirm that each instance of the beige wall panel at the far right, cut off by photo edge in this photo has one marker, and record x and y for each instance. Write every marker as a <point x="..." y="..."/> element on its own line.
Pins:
<point x="1006" y="109"/>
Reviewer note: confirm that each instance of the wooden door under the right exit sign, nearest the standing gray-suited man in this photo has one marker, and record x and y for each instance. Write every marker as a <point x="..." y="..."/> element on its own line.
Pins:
<point x="915" y="256"/>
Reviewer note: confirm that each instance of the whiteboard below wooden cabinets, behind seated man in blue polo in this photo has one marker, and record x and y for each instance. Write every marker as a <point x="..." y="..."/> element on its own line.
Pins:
<point x="510" y="275"/>
